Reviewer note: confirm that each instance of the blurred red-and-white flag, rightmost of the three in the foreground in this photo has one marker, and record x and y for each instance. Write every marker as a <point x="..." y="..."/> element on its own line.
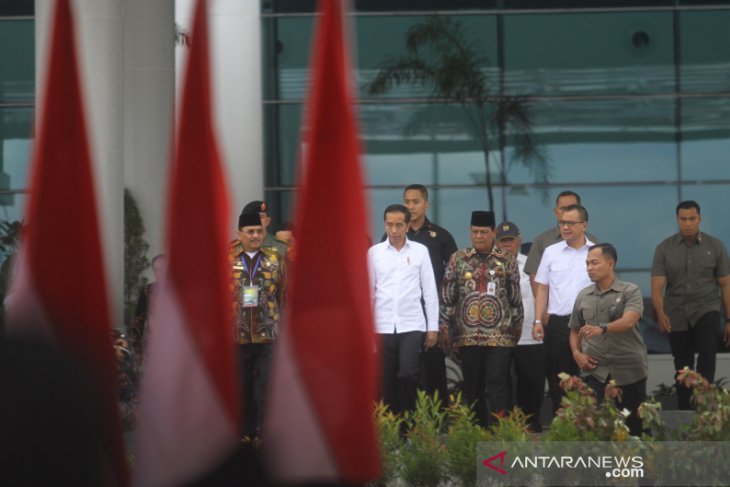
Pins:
<point x="320" y="421"/>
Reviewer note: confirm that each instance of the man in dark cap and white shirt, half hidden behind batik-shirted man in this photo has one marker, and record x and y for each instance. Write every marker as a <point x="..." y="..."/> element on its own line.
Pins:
<point x="528" y="357"/>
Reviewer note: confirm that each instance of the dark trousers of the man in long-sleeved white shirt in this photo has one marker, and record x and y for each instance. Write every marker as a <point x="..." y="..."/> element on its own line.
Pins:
<point x="400" y="356"/>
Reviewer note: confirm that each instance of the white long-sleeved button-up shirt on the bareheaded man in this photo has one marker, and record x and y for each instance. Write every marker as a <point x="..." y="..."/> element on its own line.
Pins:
<point x="398" y="281"/>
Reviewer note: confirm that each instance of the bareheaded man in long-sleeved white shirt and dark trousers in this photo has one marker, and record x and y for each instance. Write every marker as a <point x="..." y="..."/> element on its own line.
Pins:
<point x="401" y="276"/>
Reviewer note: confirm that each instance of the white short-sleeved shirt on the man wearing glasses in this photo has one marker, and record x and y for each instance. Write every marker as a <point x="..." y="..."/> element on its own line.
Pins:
<point x="563" y="269"/>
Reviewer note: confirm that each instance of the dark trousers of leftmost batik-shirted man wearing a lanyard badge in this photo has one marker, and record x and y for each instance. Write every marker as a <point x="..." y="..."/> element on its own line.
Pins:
<point x="254" y="362"/>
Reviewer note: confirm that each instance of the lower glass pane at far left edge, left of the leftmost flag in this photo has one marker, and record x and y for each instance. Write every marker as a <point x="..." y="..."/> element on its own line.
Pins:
<point x="15" y="144"/>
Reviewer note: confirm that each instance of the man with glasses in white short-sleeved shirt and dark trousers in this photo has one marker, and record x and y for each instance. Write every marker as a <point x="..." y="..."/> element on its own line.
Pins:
<point x="561" y="276"/>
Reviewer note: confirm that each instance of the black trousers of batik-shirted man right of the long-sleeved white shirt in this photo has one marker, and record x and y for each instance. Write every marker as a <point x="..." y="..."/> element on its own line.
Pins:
<point x="487" y="380"/>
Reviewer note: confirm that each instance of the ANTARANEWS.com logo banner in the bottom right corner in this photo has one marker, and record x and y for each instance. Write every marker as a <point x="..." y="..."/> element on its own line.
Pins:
<point x="548" y="463"/>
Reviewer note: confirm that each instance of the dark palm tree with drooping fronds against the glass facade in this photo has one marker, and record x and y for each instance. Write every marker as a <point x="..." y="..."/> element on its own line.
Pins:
<point x="441" y="56"/>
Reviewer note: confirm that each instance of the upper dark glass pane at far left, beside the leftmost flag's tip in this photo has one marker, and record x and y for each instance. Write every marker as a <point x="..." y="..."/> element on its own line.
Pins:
<point x="17" y="60"/>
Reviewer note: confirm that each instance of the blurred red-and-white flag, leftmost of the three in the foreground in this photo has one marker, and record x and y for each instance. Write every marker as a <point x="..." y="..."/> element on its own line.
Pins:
<point x="60" y="290"/>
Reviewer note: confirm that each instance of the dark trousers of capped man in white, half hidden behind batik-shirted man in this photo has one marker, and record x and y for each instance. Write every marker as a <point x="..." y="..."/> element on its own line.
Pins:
<point x="529" y="367"/>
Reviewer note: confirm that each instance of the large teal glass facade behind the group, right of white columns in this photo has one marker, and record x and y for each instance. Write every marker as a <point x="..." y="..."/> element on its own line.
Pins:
<point x="629" y="103"/>
